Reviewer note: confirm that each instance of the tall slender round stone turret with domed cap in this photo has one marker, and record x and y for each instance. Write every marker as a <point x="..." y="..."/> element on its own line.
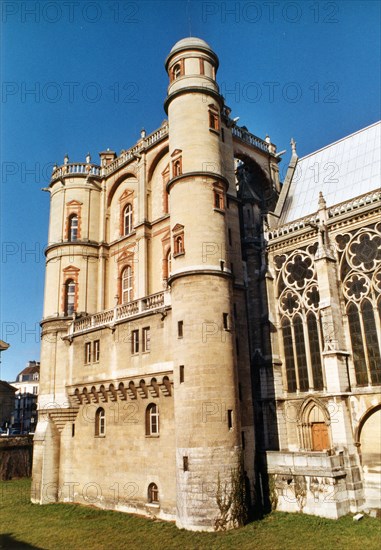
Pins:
<point x="206" y="410"/>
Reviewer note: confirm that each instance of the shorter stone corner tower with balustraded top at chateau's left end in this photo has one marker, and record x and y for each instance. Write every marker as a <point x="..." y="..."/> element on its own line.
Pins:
<point x="71" y="261"/>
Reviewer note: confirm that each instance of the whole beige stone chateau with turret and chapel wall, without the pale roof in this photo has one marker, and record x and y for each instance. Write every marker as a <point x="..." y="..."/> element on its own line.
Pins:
<point x="200" y="313"/>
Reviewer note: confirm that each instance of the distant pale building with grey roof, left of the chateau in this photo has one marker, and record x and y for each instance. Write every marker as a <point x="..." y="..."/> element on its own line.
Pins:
<point x="25" y="402"/>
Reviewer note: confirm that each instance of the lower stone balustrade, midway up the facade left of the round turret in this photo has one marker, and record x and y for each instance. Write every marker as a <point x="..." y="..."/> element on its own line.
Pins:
<point x="110" y="317"/>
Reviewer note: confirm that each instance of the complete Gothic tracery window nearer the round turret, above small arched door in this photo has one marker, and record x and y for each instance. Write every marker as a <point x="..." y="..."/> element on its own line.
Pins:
<point x="300" y="322"/>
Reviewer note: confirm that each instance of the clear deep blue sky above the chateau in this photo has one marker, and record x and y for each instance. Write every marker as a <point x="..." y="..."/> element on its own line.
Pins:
<point x="81" y="76"/>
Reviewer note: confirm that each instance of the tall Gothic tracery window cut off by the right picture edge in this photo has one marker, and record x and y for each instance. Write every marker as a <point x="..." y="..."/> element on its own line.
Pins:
<point x="360" y="271"/>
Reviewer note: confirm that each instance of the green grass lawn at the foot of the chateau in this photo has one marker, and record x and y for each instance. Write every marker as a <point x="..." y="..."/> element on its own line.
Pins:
<point x="69" y="527"/>
